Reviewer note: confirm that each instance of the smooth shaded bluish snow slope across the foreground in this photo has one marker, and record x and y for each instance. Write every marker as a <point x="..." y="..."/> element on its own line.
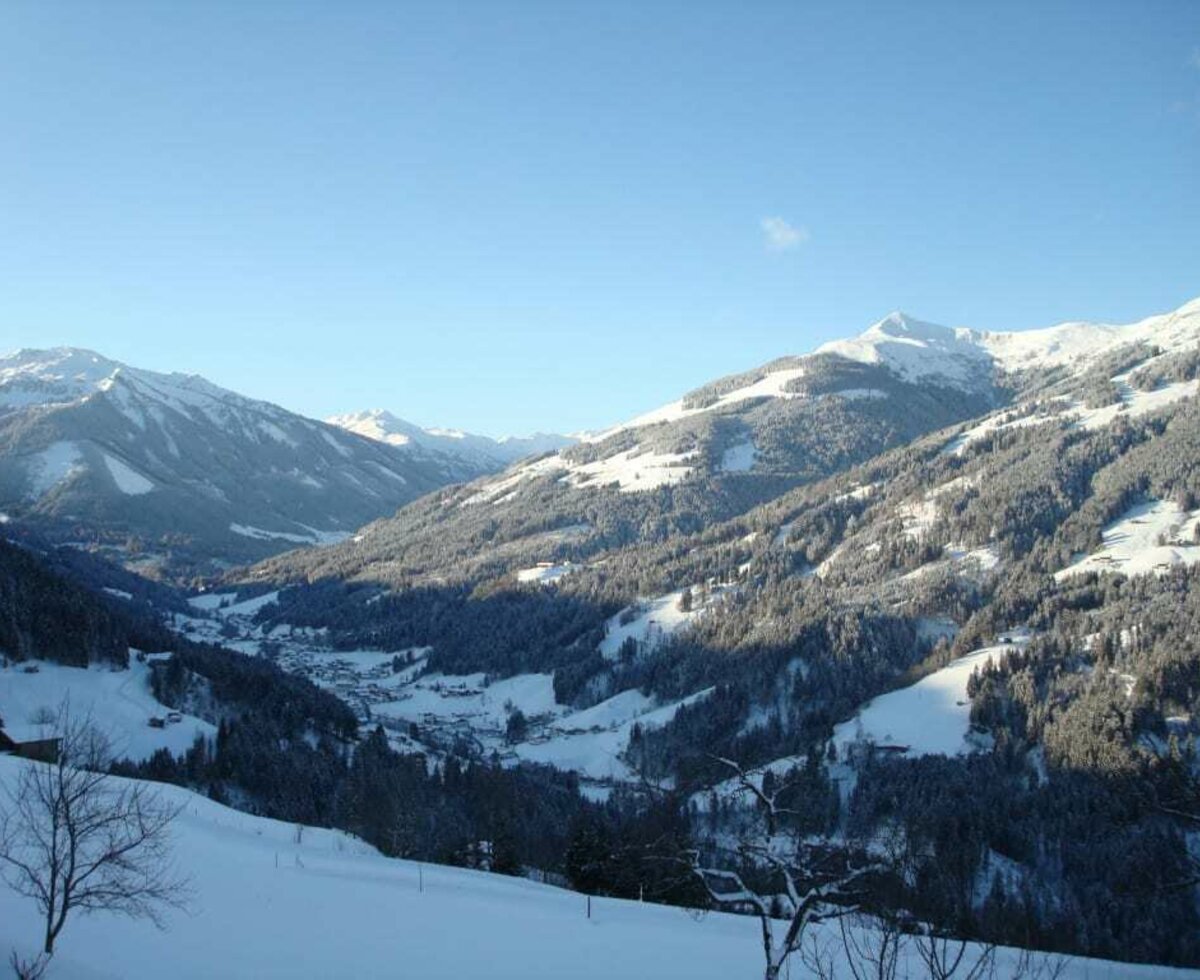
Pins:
<point x="273" y="900"/>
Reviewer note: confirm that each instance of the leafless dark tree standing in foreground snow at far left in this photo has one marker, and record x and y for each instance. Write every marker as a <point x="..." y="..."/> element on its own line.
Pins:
<point x="75" y="838"/>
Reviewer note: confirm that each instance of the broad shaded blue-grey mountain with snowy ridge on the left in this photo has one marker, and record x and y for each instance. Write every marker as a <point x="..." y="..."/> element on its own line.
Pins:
<point x="179" y="471"/>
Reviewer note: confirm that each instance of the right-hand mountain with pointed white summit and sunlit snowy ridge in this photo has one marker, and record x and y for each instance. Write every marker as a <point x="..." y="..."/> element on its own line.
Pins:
<point x="743" y="441"/>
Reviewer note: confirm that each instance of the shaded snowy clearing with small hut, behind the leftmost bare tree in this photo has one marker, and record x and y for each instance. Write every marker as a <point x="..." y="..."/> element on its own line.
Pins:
<point x="119" y="704"/>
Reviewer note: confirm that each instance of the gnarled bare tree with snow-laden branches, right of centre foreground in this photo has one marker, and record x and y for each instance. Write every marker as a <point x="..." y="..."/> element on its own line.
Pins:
<point x="777" y="875"/>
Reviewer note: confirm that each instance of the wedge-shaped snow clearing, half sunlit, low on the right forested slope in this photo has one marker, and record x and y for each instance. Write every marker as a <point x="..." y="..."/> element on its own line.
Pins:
<point x="932" y="717"/>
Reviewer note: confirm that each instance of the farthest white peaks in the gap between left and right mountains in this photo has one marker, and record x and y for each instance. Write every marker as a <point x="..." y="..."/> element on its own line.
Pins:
<point x="479" y="454"/>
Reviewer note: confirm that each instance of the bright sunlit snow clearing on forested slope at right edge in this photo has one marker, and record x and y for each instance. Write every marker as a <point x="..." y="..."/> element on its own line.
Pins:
<point x="1132" y="544"/>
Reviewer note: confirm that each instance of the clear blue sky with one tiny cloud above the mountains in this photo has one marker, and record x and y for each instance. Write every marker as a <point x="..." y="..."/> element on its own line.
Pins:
<point x="555" y="215"/>
